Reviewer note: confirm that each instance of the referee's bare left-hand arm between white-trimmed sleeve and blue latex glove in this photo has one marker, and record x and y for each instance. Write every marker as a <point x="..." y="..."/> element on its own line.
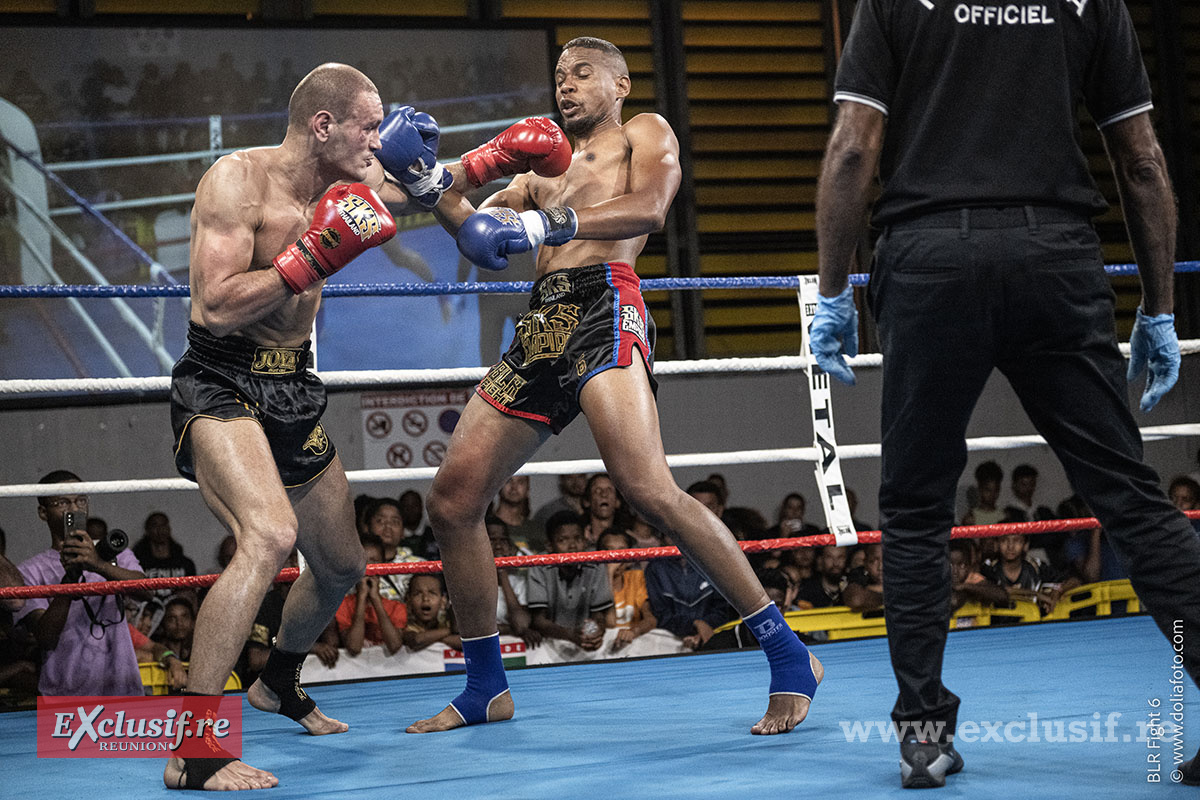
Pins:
<point x="844" y="190"/>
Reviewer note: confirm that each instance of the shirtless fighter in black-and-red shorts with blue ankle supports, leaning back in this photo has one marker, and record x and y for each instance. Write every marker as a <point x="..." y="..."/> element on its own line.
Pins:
<point x="586" y="317"/>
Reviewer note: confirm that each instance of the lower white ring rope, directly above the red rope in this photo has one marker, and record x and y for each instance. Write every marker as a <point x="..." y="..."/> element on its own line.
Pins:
<point x="1153" y="434"/>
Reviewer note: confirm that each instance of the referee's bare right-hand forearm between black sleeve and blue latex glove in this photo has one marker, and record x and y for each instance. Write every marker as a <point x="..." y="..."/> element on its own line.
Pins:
<point x="1149" y="206"/>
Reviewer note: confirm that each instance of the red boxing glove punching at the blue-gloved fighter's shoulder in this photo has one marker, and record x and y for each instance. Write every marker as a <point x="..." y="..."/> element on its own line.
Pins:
<point x="535" y="143"/>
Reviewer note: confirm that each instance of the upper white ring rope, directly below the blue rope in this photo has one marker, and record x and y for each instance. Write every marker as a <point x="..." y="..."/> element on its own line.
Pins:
<point x="406" y="378"/>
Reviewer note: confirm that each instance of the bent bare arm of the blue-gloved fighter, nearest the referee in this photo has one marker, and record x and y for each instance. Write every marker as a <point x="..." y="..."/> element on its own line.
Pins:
<point x="655" y="178"/>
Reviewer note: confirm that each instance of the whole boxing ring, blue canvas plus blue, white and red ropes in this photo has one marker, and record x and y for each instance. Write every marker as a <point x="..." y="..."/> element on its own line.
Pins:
<point x="670" y="727"/>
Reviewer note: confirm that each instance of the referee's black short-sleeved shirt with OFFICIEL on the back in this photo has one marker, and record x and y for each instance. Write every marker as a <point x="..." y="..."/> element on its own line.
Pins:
<point x="982" y="98"/>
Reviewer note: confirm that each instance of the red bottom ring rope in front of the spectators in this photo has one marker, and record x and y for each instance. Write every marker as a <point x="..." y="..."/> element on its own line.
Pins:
<point x="550" y="560"/>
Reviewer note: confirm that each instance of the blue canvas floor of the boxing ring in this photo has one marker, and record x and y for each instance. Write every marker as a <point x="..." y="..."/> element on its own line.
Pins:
<point x="679" y="727"/>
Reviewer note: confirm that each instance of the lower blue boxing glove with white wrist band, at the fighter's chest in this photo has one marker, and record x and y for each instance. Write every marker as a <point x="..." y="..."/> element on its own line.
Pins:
<point x="489" y="237"/>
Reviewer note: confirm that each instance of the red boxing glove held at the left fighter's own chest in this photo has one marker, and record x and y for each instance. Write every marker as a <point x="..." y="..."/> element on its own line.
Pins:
<point x="349" y="220"/>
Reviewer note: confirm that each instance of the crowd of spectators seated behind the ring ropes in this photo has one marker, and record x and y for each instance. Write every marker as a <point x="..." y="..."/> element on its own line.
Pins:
<point x="94" y="646"/>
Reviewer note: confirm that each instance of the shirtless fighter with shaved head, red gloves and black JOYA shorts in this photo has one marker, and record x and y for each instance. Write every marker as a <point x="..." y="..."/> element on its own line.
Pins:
<point x="269" y="226"/>
